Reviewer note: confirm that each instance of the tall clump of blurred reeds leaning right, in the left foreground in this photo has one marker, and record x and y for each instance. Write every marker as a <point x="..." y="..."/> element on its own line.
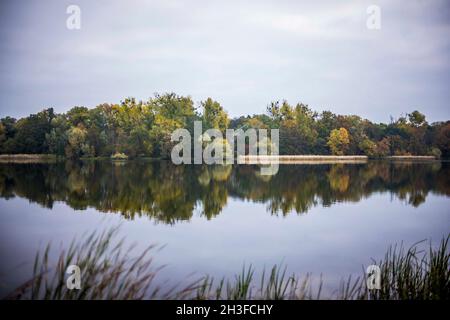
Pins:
<point x="107" y="273"/>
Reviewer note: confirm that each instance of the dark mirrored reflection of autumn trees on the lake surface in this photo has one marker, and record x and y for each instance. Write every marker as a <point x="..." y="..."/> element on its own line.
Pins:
<point x="168" y="193"/>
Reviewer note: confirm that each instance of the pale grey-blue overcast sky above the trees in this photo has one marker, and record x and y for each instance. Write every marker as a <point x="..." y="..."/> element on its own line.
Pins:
<point x="243" y="54"/>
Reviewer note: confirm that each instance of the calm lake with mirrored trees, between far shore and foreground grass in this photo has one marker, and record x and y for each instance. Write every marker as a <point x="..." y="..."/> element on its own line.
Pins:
<point x="328" y="219"/>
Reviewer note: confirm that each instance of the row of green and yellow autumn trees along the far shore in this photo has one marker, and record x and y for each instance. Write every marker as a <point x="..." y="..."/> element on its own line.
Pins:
<point x="143" y="128"/>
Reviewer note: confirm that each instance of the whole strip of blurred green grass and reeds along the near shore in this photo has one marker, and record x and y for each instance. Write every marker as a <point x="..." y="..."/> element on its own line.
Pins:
<point x="420" y="272"/>
